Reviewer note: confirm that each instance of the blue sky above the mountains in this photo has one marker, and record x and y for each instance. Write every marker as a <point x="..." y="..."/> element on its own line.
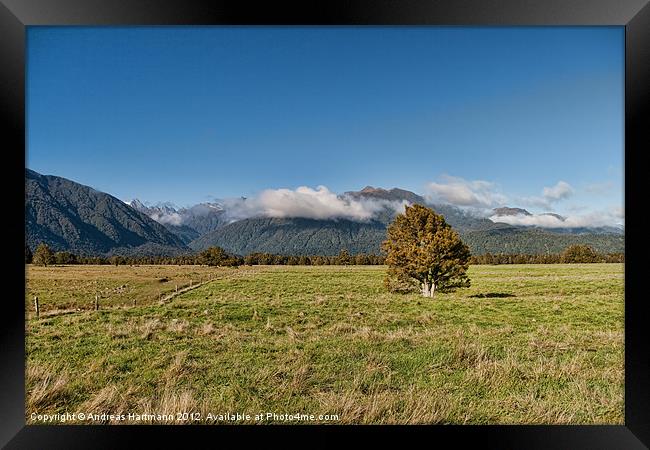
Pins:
<point x="186" y="114"/>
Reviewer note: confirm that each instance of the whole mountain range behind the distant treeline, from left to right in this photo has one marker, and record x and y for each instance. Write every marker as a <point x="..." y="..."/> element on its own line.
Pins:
<point x="70" y="216"/>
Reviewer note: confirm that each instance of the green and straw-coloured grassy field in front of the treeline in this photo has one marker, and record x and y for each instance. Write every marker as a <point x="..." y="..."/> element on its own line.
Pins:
<point x="525" y="344"/>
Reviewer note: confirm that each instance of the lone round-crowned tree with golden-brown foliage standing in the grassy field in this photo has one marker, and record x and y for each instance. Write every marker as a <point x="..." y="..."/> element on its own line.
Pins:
<point x="423" y="251"/>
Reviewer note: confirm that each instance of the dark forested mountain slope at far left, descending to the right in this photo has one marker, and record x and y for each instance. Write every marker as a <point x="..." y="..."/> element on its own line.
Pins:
<point x="70" y="216"/>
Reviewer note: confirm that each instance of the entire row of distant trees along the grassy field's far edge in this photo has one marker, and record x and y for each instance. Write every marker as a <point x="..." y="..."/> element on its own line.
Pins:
<point x="216" y="256"/>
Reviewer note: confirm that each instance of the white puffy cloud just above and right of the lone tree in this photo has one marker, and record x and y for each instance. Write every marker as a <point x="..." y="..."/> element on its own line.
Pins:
<point x="460" y="192"/>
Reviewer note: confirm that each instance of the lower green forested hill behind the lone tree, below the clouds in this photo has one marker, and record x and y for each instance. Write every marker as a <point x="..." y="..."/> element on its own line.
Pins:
<point x="326" y="237"/>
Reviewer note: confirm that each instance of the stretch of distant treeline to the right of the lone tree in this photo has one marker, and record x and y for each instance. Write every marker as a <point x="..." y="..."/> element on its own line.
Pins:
<point x="574" y="254"/>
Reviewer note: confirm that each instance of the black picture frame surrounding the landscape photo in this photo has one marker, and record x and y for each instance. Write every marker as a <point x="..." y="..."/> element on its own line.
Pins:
<point x="16" y="15"/>
